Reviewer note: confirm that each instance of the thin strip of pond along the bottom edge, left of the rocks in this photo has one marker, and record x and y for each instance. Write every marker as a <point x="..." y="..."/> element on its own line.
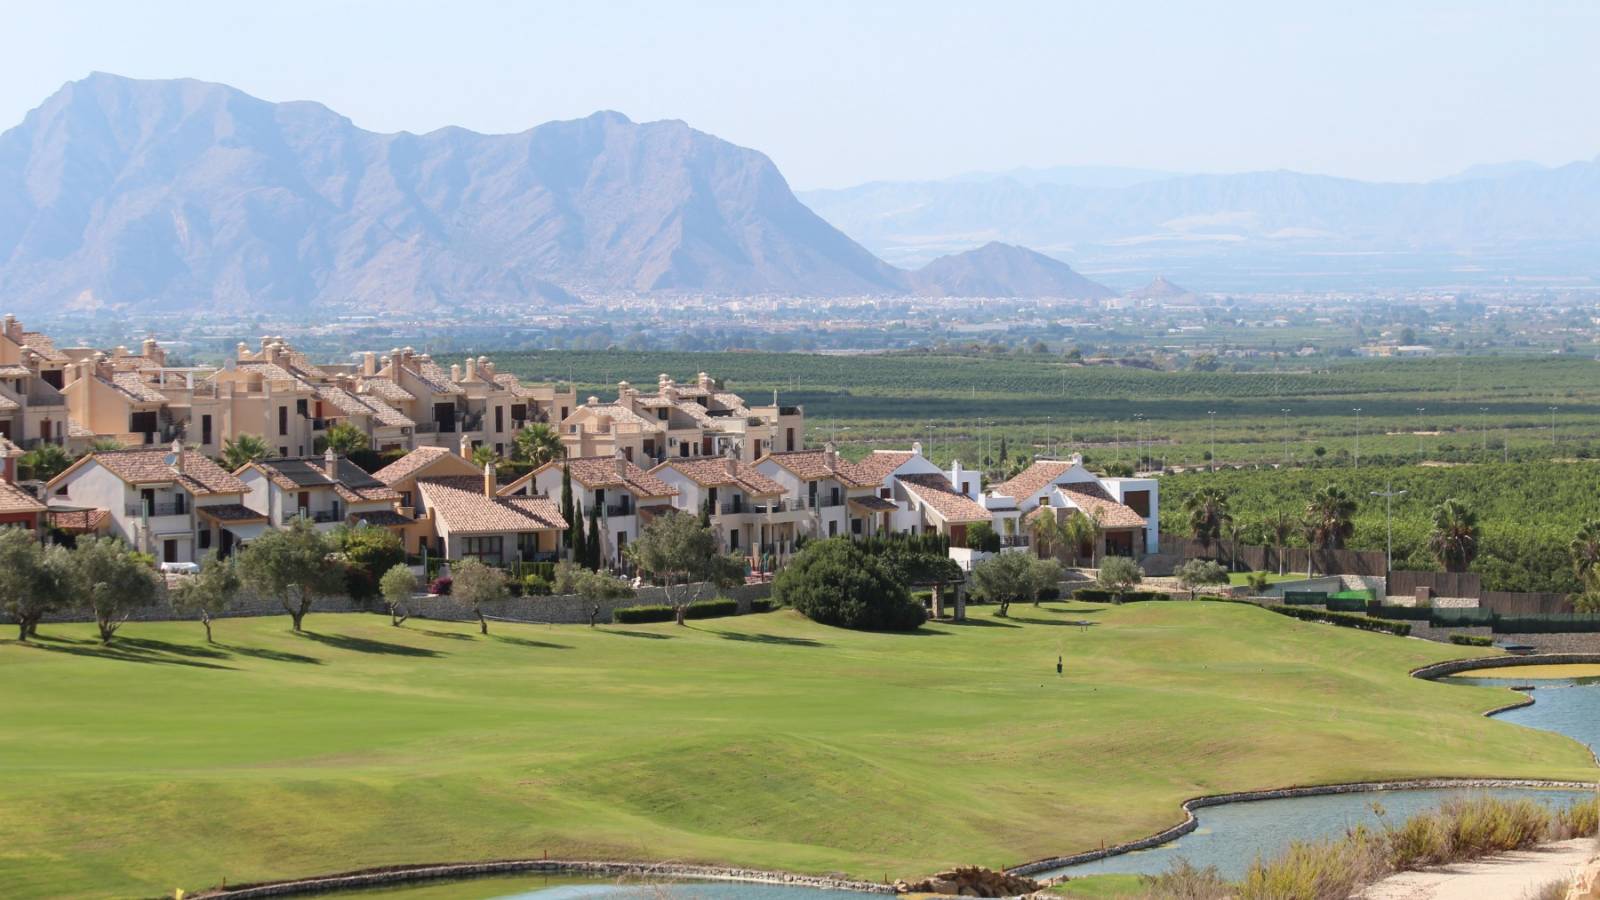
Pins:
<point x="535" y="886"/>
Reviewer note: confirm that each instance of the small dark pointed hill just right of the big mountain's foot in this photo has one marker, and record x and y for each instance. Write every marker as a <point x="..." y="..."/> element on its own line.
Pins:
<point x="1002" y="270"/>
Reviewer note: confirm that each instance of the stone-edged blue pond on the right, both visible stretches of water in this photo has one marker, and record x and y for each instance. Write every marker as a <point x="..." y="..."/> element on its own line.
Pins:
<point x="1231" y="837"/>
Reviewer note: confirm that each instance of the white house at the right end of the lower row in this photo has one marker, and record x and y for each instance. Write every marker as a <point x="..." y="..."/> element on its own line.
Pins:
<point x="1127" y="510"/>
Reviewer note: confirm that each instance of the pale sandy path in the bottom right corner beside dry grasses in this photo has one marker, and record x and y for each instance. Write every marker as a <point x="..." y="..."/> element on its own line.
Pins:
<point x="1510" y="877"/>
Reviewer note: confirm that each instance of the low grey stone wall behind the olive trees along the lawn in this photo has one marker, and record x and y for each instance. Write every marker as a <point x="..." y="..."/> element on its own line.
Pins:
<point x="556" y="609"/>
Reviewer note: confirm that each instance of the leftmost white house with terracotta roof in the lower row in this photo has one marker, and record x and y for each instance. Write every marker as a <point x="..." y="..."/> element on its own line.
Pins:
<point x="172" y="504"/>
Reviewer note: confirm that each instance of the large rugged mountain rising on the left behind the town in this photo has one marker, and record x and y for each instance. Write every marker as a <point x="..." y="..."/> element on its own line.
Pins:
<point x="191" y="195"/>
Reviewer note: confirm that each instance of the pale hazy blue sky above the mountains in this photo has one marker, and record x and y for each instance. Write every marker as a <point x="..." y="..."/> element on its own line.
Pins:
<point x="846" y="92"/>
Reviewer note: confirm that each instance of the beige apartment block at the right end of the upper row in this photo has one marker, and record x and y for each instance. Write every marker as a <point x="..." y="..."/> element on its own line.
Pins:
<point x="681" y="422"/>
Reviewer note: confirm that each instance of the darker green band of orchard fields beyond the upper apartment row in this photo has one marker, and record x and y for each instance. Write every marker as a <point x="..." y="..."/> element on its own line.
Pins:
<point x="1465" y="409"/>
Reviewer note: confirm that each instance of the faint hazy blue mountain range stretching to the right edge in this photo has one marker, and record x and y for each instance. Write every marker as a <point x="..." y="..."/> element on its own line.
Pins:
<point x="1266" y="228"/>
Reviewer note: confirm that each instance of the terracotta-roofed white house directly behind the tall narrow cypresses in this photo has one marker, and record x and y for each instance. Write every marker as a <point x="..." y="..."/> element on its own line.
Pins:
<point x="626" y="496"/>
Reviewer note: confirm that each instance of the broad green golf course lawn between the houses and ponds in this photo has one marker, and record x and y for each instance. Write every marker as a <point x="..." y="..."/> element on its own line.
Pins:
<point x="762" y="741"/>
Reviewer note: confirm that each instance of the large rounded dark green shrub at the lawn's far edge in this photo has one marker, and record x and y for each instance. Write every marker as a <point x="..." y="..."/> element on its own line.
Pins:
<point x="833" y="582"/>
